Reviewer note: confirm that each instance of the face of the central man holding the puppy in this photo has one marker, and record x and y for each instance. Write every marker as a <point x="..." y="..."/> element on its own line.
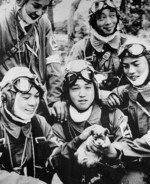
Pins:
<point x="82" y="94"/>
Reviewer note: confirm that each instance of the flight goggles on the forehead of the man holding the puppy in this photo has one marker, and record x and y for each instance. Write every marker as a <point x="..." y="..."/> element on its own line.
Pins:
<point x="86" y="74"/>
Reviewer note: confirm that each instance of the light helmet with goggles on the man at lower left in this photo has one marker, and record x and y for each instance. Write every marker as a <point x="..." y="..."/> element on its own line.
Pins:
<point x="18" y="79"/>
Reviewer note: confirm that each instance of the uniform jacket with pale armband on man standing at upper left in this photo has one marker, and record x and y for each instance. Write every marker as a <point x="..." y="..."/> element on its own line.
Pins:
<point x="44" y="61"/>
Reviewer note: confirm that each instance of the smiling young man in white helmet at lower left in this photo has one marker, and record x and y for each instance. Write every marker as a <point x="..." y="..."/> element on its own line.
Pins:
<point x="26" y="139"/>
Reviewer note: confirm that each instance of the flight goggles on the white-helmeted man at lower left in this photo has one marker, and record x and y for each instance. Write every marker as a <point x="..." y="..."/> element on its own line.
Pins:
<point x="24" y="84"/>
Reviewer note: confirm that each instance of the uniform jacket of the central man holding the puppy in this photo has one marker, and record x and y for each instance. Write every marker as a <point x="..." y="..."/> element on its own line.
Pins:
<point x="65" y="161"/>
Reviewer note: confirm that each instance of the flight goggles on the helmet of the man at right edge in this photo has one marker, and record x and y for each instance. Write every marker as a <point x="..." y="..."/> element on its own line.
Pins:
<point x="133" y="50"/>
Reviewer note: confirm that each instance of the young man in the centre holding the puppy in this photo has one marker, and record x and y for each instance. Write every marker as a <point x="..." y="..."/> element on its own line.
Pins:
<point x="81" y="93"/>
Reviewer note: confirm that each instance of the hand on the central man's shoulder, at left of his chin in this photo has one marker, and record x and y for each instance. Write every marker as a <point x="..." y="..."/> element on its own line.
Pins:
<point x="59" y="110"/>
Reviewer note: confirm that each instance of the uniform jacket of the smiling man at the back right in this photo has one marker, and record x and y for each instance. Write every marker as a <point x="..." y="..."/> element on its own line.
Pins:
<point x="104" y="59"/>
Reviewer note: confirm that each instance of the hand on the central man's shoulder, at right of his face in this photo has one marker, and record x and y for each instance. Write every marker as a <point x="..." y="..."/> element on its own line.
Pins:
<point x="113" y="100"/>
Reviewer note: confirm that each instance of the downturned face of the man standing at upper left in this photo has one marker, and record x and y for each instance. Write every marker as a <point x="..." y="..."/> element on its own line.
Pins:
<point x="36" y="8"/>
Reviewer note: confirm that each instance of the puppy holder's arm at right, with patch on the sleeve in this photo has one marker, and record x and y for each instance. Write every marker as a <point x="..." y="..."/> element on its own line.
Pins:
<point x="121" y="132"/>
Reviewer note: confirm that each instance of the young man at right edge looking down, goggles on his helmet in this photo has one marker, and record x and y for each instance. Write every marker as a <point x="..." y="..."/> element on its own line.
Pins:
<point x="134" y="99"/>
